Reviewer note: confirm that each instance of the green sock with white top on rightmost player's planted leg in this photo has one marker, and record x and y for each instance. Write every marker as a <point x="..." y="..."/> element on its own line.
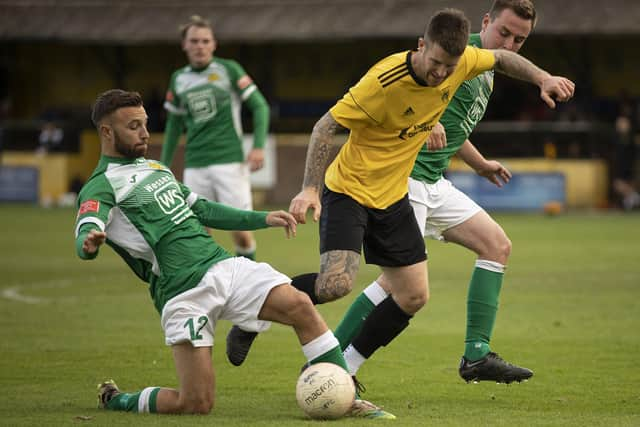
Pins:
<point x="482" y="307"/>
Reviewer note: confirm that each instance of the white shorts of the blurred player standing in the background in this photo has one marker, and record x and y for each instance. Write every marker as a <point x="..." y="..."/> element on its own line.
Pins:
<point x="227" y="183"/>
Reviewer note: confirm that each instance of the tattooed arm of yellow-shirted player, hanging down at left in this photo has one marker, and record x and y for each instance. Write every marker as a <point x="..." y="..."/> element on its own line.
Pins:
<point x="322" y="150"/>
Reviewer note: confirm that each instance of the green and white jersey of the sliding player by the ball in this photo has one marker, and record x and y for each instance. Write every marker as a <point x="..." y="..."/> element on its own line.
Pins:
<point x="156" y="224"/>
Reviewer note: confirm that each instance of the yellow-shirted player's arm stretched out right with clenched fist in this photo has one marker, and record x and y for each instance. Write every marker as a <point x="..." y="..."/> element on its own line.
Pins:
<point x="519" y="67"/>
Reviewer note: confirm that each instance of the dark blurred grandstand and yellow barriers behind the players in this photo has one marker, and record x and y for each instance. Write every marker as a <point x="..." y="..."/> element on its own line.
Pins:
<point x="57" y="55"/>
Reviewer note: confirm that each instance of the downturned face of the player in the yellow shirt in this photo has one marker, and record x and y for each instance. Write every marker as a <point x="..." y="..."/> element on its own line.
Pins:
<point x="433" y="64"/>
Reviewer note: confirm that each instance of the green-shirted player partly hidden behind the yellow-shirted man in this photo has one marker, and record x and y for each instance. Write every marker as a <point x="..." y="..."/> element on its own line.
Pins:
<point x="445" y="213"/>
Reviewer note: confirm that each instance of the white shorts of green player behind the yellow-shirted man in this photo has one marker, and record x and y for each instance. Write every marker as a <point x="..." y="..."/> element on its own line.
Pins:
<point x="439" y="206"/>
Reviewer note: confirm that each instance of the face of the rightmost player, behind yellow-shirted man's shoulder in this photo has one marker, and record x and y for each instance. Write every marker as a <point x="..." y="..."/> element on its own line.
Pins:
<point x="506" y="31"/>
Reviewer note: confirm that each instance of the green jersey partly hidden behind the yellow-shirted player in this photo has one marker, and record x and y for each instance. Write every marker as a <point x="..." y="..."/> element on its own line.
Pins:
<point x="460" y="118"/>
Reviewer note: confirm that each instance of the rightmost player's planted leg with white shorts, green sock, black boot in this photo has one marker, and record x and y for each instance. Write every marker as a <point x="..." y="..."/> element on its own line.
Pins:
<point x="477" y="231"/>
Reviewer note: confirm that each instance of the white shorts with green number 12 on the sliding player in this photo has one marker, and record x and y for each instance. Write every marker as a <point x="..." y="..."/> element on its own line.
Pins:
<point x="234" y="289"/>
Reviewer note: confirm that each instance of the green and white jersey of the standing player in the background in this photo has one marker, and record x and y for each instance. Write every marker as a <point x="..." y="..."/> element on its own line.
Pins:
<point x="209" y="101"/>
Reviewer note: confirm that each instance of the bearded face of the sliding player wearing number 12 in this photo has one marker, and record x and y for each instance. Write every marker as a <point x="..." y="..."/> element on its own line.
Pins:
<point x="129" y="133"/>
